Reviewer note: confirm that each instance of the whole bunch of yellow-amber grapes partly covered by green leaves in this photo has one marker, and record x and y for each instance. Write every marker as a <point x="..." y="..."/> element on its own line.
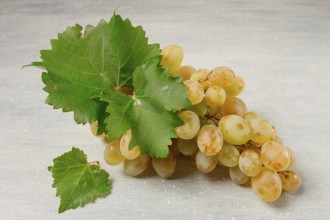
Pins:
<point x="217" y="130"/>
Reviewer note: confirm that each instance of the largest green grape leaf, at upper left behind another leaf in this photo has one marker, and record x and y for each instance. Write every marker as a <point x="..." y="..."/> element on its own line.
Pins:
<point x="79" y="67"/>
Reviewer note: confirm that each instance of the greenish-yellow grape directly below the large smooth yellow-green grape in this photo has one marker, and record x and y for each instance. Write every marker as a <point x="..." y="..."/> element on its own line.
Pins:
<point x="228" y="155"/>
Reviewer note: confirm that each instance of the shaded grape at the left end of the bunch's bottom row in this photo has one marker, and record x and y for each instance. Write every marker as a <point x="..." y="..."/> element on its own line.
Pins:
<point x="136" y="166"/>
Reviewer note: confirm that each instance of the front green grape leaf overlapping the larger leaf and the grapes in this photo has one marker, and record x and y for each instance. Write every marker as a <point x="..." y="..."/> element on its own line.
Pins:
<point x="149" y="112"/>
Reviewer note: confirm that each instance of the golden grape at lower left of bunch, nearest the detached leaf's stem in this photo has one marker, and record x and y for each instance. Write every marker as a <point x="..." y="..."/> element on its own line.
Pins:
<point x="112" y="154"/>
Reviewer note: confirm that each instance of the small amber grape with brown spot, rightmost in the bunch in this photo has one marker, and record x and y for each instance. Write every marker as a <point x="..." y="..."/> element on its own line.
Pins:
<point x="291" y="181"/>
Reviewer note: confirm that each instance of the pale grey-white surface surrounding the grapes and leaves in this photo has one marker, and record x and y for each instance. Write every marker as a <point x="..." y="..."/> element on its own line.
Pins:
<point x="281" y="48"/>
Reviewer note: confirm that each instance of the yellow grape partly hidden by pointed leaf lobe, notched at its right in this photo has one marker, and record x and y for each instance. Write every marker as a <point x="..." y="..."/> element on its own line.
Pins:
<point x="124" y="147"/>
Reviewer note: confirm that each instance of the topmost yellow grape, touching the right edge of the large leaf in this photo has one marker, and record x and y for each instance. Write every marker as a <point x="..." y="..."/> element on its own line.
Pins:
<point x="172" y="57"/>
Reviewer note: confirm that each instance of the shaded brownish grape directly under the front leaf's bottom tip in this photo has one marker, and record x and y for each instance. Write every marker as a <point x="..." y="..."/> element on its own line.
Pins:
<point x="165" y="167"/>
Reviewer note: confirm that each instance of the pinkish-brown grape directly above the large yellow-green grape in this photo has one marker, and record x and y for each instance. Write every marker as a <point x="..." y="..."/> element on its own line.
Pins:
<point x="233" y="106"/>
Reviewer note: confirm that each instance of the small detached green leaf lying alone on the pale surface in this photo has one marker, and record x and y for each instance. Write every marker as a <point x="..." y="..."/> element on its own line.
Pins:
<point x="78" y="182"/>
